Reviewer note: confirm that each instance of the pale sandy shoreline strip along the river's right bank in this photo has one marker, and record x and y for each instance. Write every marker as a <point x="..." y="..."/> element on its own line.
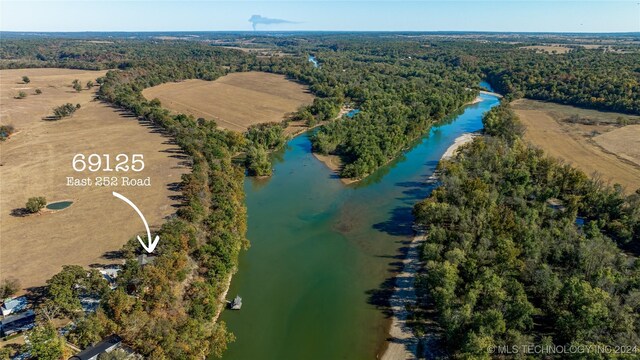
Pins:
<point x="402" y="343"/>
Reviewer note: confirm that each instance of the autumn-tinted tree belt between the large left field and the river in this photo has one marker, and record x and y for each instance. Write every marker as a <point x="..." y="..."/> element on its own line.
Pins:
<point x="178" y="296"/>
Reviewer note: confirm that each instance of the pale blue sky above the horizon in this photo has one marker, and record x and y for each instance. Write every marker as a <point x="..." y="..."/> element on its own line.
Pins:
<point x="505" y="15"/>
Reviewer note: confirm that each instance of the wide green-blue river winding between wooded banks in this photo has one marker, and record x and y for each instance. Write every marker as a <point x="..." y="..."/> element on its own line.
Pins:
<point x="323" y="254"/>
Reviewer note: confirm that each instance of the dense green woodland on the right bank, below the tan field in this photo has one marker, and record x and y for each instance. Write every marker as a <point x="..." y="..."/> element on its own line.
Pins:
<point x="521" y="249"/>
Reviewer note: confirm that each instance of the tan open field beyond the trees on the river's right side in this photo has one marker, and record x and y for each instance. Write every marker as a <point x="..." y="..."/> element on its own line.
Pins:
<point x="612" y="157"/>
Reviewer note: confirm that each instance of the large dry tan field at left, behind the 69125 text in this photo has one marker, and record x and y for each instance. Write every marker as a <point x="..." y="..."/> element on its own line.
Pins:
<point x="38" y="158"/>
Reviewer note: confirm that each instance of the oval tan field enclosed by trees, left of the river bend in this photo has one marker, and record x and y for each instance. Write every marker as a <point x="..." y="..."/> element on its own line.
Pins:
<point x="235" y="101"/>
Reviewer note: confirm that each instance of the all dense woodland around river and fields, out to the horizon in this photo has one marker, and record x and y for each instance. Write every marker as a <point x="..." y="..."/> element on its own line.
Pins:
<point x="504" y="251"/>
